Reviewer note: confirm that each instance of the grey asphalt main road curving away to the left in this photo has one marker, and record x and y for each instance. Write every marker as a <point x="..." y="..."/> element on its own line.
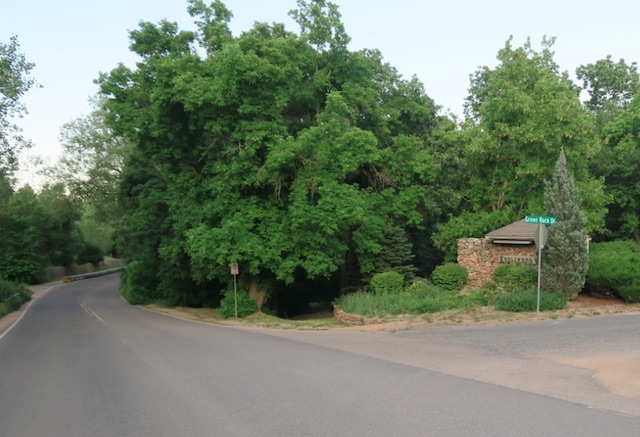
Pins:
<point x="81" y="362"/>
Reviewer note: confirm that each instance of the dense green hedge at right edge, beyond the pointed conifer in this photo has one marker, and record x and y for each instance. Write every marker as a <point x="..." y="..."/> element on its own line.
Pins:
<point x="614" y="267"/>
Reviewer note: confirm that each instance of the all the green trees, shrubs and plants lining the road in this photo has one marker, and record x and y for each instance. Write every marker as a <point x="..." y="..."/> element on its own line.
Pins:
<point x="324" y="175"/>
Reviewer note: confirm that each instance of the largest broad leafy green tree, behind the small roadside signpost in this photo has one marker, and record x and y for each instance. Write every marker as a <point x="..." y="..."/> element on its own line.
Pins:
<point x="285" y="153"/>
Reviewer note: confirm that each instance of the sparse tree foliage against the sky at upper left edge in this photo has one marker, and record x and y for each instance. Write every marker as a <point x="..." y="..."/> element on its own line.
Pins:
<point x="15" y="81"/>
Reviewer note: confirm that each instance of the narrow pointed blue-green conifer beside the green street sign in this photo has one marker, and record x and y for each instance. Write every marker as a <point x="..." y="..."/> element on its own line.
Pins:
<point x="565" y="259"/>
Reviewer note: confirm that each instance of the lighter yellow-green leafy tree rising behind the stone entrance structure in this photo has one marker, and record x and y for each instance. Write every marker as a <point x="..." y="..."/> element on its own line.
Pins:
<point x="519" y="116"/>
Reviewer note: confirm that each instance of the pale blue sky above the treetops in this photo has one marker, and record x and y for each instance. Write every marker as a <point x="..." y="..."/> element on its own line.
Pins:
<point x="441" y="42"/>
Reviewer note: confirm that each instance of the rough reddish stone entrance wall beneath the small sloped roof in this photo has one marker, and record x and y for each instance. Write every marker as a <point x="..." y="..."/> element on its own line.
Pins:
<point x="481" y="257"/>
